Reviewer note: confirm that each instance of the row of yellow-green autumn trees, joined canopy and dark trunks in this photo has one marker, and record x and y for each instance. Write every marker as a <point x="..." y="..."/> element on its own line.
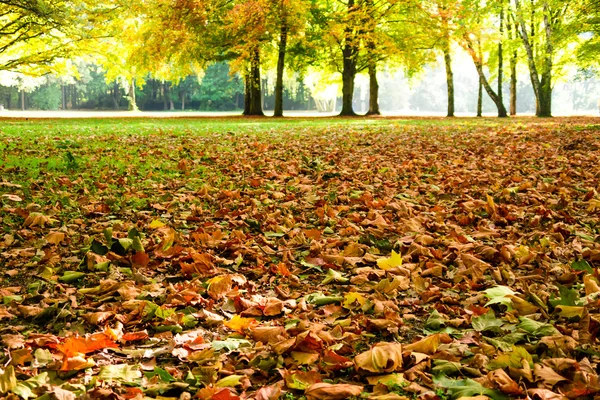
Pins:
<point x="170" y="40"/>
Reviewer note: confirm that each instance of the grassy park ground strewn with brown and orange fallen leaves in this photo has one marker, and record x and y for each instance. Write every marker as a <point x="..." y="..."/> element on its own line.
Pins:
<point x="324" y="259"/>
